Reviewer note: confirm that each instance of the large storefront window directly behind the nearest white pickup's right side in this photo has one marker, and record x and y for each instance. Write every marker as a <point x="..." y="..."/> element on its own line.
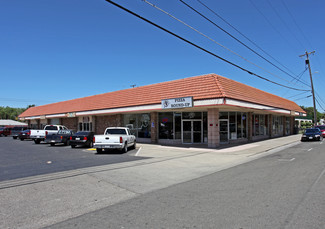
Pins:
<point x="139" y="124"/>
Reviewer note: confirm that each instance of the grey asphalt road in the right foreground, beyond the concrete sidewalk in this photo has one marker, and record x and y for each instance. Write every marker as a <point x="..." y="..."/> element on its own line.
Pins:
<point x="282" y="190"/>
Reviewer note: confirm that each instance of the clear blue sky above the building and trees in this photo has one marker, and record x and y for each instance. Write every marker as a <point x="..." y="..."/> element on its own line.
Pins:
<point x="59" y="50"/>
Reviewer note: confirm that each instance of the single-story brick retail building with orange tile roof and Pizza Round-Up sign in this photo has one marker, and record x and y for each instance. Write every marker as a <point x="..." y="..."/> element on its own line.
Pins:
<point x="208" y="109"/>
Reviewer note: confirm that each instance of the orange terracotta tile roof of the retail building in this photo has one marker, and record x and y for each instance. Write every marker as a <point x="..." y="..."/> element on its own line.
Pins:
<point x="200" y="87"/>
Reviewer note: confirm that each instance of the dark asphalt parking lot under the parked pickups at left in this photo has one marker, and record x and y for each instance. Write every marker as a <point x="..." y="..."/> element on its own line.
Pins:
<point x="25" y="158"/>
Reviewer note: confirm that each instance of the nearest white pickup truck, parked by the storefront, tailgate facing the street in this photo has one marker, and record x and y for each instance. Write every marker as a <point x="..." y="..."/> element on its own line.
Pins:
<point x="115" y="138"/>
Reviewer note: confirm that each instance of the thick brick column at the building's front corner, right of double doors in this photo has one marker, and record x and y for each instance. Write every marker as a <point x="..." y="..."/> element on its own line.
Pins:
<point x="213" y="128"/>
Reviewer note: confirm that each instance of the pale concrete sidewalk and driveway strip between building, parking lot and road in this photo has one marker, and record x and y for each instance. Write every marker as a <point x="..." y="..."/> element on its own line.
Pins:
<point x="39" y="201"/>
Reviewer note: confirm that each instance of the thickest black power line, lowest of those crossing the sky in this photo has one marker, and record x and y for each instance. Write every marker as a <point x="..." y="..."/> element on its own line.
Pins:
<point x="199" y="47"/>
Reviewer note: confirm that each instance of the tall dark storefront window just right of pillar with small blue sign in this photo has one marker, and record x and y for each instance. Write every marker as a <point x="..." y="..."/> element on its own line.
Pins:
<point x="166" y="125"/>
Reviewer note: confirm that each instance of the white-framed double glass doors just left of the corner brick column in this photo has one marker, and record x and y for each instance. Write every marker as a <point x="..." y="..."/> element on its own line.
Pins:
<point x="192" y="131"/>
